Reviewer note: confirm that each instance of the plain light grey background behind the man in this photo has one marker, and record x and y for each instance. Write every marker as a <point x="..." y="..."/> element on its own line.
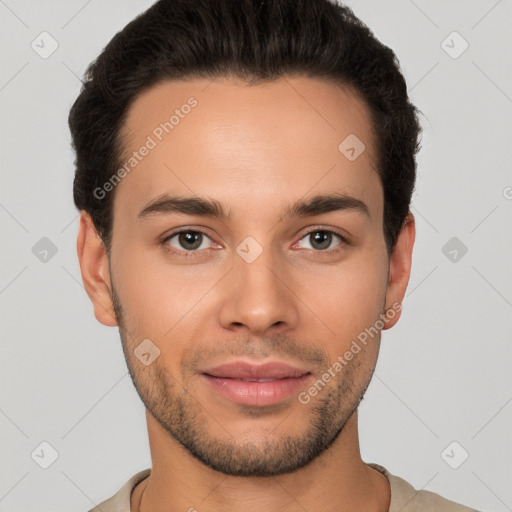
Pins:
<point x="444" y="370"/>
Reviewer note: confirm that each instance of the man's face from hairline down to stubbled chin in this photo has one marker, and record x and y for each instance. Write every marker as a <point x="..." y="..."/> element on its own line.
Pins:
<point x="293" y="271"/>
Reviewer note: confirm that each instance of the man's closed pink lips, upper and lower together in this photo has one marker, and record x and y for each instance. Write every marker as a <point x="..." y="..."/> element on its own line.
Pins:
<point x="280" y="382"/>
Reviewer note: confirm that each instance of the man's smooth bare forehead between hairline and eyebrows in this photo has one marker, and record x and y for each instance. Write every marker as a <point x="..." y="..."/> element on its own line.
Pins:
<point x="247" y="145"/>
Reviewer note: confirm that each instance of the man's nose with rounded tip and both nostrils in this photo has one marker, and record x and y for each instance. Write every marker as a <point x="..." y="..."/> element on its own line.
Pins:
<point x="258" y="296"/>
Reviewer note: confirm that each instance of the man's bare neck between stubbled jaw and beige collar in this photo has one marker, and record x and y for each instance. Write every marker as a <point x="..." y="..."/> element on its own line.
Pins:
<point x="337" y="480"/>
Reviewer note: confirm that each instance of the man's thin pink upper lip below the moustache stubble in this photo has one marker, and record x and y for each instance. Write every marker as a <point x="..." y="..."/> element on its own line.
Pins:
<point x="245" y="370"/>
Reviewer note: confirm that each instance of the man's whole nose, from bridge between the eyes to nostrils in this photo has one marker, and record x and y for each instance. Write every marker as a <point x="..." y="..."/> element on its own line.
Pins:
<point x="257" y="296"/>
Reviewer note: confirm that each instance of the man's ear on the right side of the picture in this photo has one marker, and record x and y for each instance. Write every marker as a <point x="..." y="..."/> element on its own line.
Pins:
<point x="400" y="268"/>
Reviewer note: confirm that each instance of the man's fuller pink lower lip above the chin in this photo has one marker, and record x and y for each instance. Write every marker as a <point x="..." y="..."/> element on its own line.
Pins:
<point x="257" y="393"/>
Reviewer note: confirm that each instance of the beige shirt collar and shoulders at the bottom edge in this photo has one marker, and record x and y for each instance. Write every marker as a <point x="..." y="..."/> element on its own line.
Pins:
<point x="404" y="498"/>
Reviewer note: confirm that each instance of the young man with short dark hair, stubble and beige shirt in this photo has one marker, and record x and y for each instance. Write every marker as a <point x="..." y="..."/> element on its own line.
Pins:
<point x="244" y="173"/>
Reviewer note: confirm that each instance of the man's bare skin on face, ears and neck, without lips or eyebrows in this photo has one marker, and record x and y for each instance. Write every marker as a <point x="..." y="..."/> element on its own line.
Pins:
<point x="256" y="150"/>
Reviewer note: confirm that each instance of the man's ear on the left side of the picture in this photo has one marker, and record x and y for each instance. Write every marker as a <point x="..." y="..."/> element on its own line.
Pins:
<point x="93" y="259"/>
